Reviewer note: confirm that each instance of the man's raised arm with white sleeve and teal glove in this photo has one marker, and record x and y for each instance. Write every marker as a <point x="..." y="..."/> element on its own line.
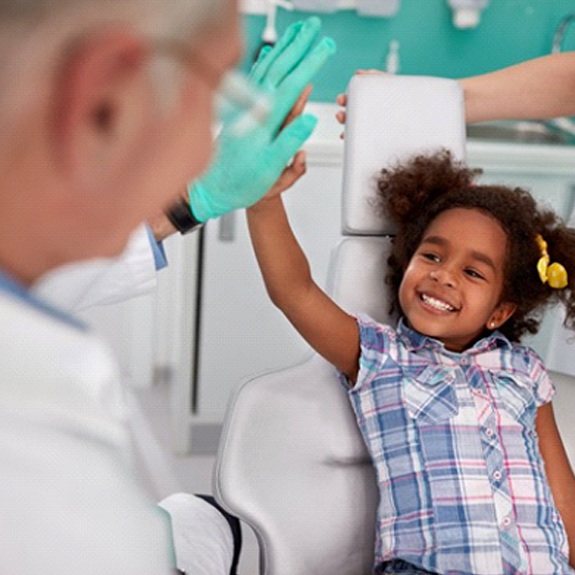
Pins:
<point x="244" y="169"/>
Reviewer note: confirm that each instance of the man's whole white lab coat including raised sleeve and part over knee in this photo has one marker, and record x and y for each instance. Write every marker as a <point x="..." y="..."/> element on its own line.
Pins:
<point x="70" y="499"/>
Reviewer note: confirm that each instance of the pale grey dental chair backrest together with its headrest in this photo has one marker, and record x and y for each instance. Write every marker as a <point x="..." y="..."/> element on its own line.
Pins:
<point x="292" y="462"/>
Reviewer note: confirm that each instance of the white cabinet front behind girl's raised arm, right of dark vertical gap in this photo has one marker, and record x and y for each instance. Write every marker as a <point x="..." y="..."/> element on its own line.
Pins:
<point x="241" y="332"/>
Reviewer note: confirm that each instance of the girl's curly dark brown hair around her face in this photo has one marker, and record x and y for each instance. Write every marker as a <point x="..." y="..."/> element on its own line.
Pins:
<point x="413" y="194"/>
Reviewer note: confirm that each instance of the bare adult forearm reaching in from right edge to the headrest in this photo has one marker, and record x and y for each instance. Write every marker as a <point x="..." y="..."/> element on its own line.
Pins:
<point x="538" y="89"/>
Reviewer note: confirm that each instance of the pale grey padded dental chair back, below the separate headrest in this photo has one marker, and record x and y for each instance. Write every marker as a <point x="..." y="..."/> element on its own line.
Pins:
<point x="292" y="463"/>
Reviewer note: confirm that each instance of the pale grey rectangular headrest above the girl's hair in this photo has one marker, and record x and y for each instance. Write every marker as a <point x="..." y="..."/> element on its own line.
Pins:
<point x="389" y="119"/>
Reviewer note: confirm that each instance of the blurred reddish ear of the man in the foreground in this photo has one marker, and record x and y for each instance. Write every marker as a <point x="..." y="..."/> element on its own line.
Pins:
<point x="100" y="102"/>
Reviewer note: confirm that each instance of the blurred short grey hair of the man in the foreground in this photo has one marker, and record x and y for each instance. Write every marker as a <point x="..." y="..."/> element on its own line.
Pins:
<point x="34" y="32"/>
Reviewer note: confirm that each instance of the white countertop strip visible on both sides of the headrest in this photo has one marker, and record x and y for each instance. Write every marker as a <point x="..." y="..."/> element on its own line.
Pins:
<point x="325" y="146"/>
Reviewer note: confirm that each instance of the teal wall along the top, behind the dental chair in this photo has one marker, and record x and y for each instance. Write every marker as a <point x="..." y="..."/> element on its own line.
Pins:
<point x="510" y="31"/>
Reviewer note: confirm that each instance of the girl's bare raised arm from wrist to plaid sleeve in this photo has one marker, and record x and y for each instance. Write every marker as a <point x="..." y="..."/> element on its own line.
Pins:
<point x="332" y="332"/>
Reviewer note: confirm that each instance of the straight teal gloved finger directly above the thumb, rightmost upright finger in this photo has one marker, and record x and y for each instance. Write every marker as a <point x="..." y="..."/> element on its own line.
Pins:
<point x="293" y="86"/>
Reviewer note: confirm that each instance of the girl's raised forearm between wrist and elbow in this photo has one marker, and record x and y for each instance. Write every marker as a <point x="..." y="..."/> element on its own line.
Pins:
<point x="283" y="264"/>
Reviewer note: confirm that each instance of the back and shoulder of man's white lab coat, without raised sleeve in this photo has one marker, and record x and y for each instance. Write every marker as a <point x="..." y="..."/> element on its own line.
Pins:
<point x="70" y="502"/>
